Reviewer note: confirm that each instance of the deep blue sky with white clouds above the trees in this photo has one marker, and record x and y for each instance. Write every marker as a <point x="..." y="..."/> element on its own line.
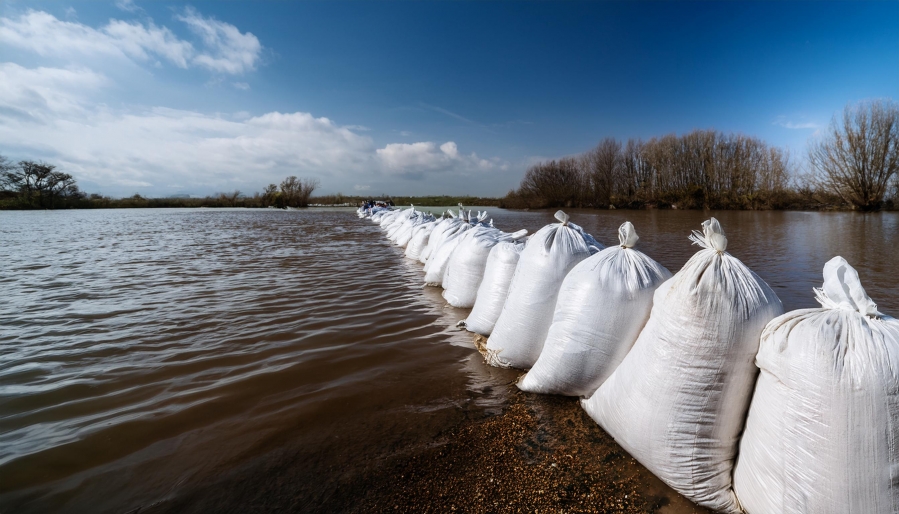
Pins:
<point x="413" y="97"/>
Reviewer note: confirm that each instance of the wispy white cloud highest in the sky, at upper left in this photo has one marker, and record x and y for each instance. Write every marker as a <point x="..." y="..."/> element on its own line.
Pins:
<point x="224" y="49"/>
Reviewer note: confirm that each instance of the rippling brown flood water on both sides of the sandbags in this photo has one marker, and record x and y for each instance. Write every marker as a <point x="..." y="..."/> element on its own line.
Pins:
<point x="150" y="354"/>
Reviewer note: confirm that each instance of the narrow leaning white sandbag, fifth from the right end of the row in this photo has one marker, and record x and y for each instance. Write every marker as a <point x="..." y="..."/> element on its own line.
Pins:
<point x="494" y="288"/>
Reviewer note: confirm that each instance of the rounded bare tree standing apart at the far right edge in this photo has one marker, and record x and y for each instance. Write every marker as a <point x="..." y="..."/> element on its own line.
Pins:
<point x="859" y="153"/>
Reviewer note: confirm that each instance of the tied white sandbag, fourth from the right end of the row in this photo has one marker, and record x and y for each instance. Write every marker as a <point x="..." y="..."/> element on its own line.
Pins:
<point x="517" y="338"/>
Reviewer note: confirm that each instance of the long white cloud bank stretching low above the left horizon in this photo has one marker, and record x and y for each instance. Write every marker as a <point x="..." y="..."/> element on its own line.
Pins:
<point x="47" y="113"/>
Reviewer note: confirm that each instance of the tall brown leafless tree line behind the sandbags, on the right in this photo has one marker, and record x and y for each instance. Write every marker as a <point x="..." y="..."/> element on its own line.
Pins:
<point x="855" y="163"/>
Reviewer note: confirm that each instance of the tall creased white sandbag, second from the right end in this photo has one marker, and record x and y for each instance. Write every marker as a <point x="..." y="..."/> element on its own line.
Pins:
<point x="678" y="401"/>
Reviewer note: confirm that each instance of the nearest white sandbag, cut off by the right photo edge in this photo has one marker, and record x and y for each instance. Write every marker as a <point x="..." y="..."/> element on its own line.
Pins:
<point x="823" y="428"/>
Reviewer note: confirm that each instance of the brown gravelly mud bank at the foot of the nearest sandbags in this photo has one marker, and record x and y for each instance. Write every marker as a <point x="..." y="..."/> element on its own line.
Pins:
<point x="537" y="454"/>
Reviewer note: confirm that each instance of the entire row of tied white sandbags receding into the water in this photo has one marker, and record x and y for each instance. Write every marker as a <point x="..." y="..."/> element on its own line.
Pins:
<point x="699" y="375"/>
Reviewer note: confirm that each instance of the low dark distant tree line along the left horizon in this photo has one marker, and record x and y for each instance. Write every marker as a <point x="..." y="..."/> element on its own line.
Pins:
<point x="38" y="185"/>
